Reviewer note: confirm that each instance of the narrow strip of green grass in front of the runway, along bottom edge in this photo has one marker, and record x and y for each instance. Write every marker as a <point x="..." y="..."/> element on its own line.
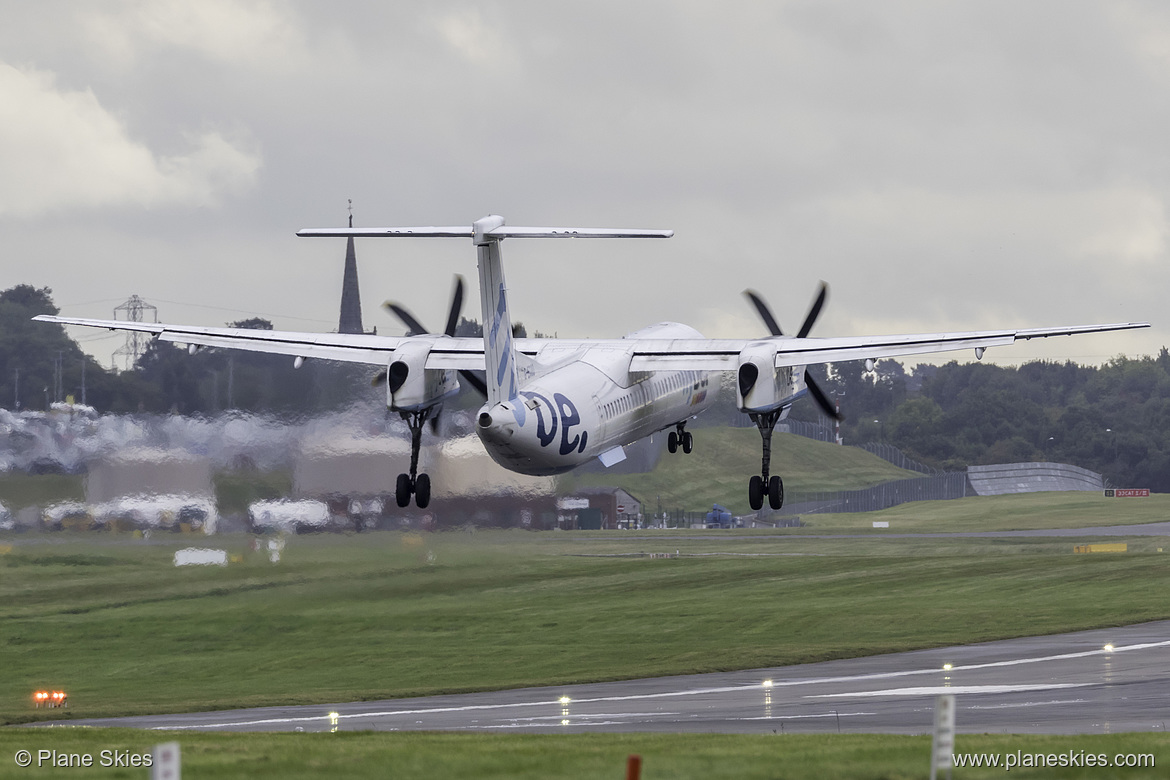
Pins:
<point x="522" y="757"/>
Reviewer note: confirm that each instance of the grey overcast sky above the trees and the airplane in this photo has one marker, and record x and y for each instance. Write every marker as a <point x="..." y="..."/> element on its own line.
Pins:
<point x="942" y="165"/>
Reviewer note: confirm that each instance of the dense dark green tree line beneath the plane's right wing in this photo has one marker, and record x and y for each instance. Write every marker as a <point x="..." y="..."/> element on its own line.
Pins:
<point x="1113" y="419"/>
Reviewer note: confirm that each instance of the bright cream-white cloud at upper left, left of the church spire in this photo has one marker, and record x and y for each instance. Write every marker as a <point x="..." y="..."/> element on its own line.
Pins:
<point x="64" y="149"/>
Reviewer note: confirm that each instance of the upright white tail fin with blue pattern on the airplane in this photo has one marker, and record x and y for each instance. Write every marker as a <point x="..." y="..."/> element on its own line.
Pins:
<point x="500" y="356"/>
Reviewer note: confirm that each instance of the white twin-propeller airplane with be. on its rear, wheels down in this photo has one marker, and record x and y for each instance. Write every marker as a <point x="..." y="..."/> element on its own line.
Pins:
<point x="553" y="405"/>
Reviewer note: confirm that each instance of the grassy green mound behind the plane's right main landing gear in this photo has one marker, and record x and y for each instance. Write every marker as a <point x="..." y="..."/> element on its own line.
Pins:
<point x="718" y="471"/>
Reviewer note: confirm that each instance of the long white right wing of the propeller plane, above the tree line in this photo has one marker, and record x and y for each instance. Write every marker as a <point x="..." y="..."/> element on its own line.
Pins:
<point x="724" y="355"/>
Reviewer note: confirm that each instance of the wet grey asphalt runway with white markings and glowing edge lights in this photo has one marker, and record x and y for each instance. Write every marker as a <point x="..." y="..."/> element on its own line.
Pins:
<point x="1063" y="685"/>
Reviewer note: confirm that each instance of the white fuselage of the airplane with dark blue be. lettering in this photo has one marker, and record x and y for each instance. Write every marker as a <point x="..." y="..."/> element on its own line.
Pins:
<point x="583" y="403"/>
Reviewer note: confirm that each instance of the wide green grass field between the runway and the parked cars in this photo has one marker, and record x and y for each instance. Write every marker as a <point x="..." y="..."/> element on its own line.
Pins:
<point x="113" y="623"/>
